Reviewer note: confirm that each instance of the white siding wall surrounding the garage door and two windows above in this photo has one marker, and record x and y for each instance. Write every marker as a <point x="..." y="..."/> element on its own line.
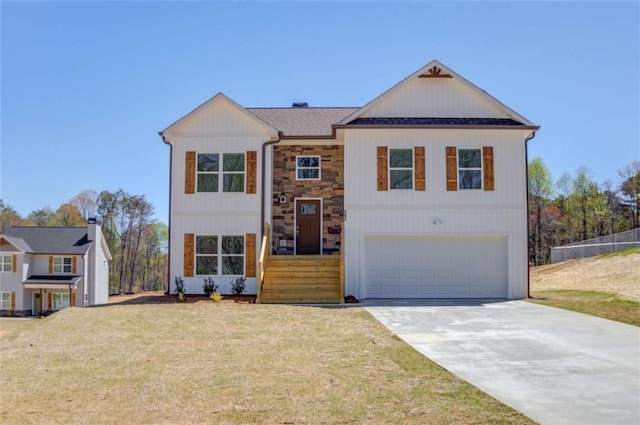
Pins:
<point x="435" y="212"/>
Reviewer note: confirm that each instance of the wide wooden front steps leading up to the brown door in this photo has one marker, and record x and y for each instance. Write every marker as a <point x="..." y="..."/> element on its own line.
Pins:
<point x="298" y="279"/>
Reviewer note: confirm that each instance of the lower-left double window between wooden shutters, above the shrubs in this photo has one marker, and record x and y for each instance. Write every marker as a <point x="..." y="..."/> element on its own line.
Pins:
<point x="219" y="255"/>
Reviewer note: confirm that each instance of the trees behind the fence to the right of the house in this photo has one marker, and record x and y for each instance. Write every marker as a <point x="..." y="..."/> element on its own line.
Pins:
<point x="576" y="208"/>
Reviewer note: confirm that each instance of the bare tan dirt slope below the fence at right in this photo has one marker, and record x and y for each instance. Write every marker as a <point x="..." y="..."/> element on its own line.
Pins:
<point x="616" y="274"/>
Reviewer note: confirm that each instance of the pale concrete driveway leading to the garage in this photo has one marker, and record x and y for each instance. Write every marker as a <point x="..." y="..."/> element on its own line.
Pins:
<point x="553" y="365"/>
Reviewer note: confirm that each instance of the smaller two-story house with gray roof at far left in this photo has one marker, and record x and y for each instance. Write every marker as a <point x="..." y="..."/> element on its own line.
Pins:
<point x="50" y="268"/>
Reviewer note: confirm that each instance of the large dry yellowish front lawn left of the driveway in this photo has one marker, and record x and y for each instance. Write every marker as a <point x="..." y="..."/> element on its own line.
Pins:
<point x="226" y="364"/>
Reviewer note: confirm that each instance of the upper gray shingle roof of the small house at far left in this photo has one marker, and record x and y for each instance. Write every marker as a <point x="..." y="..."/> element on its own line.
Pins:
<point x="49" y="240"/>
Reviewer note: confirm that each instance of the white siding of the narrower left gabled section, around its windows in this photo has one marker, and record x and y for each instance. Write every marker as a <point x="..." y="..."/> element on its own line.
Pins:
<point x="223" y="128"/>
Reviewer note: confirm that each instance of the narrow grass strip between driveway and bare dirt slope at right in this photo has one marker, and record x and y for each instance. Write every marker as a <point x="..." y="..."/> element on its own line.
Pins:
<point x="600" y="304"/>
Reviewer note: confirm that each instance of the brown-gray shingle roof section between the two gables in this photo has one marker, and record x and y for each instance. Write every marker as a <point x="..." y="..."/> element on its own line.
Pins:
<point x="302" y="121"/>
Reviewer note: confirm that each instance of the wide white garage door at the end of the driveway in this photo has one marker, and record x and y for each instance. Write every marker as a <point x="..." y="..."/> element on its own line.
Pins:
<point x="430" y="267"/>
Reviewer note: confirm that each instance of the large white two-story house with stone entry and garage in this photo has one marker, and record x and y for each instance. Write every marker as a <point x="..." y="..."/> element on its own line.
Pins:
<point x="422" y="192"/>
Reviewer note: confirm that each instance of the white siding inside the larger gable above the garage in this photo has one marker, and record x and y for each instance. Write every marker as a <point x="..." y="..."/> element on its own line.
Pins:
<point x="434" y="97"/>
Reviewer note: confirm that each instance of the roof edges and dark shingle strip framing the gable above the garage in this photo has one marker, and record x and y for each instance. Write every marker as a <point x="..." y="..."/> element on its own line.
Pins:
<point x="436" y="69"/>
